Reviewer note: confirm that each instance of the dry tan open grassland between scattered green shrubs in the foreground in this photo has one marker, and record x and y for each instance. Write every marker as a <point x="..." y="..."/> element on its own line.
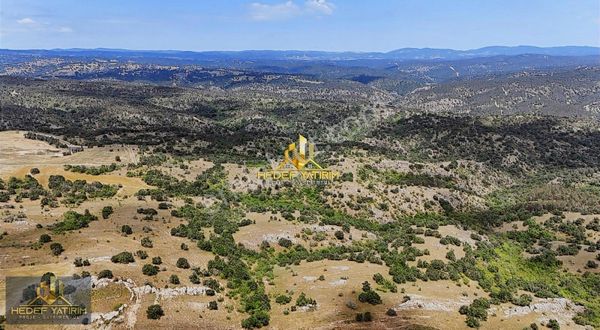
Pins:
<point x="334" y="284"/>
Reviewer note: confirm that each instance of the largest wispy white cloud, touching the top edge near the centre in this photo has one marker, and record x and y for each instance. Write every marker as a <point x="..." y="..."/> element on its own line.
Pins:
<point x="289" y="9"/>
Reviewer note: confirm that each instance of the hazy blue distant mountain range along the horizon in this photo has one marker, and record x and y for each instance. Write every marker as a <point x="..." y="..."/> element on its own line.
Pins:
<point x="403" y="54"/>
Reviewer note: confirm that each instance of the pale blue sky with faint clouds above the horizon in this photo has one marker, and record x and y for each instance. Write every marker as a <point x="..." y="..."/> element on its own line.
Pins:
<point x="335" y="25"/>
